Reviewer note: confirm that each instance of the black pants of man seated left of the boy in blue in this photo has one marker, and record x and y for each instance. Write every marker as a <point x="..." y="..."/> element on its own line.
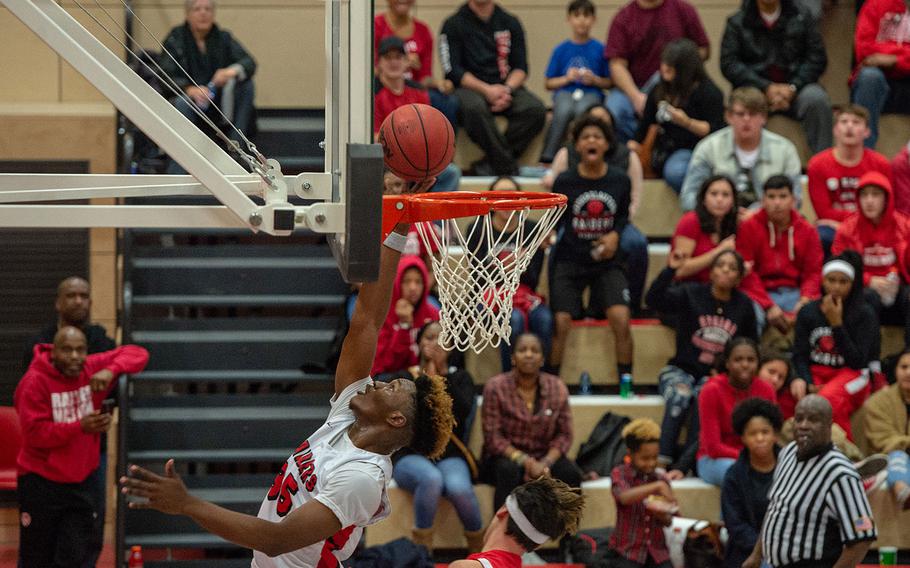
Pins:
<point x="526" y="120"/>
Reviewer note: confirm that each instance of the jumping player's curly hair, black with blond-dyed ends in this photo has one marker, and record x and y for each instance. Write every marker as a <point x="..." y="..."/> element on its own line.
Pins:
<point x="433" y="419"/>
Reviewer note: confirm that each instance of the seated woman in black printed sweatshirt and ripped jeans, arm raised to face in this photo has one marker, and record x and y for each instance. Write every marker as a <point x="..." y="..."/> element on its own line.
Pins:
<point x="709" y="315"/>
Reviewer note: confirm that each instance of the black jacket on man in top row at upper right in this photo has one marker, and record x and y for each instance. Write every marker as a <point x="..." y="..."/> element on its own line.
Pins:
<point x="749" y="50"/>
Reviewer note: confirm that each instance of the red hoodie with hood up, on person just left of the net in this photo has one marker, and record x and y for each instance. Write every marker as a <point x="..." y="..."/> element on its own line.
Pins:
<point x="396" y="348"/>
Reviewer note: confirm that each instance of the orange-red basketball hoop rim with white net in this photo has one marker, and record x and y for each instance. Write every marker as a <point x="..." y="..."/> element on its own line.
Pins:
<point x="477" y="272"/>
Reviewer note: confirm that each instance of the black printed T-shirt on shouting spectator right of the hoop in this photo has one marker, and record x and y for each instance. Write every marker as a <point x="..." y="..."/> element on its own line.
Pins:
<point x="596" y="207"/>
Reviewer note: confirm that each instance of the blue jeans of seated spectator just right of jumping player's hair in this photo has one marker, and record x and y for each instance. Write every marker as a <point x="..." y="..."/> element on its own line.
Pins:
<point x="428" y="481"/>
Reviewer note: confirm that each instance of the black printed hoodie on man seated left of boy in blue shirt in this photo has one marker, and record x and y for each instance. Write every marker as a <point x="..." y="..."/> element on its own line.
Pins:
<point x="489" y="50"/>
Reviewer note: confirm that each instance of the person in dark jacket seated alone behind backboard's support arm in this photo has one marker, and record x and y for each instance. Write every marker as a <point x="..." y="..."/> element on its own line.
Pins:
<point x="216" y="63"/>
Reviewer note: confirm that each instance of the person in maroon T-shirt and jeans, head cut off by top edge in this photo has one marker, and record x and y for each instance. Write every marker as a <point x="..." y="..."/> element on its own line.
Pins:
<point x="636" y="39"/>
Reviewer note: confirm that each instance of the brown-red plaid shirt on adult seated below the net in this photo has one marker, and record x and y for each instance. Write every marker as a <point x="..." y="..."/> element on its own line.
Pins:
<point x="507" y="420"/>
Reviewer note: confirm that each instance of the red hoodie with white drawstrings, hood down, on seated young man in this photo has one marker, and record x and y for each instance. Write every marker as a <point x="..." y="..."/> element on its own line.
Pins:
<point x="792" y="257"/>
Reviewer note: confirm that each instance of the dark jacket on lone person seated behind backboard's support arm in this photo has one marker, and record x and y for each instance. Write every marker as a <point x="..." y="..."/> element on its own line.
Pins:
<point x="221" y="50"/>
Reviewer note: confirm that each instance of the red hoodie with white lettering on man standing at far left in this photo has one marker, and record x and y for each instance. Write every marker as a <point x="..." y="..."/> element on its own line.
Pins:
<point x="51" y="405"/>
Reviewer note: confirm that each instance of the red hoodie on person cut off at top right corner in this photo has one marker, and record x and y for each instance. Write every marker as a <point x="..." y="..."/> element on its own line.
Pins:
<point x="881" y="27"/>
